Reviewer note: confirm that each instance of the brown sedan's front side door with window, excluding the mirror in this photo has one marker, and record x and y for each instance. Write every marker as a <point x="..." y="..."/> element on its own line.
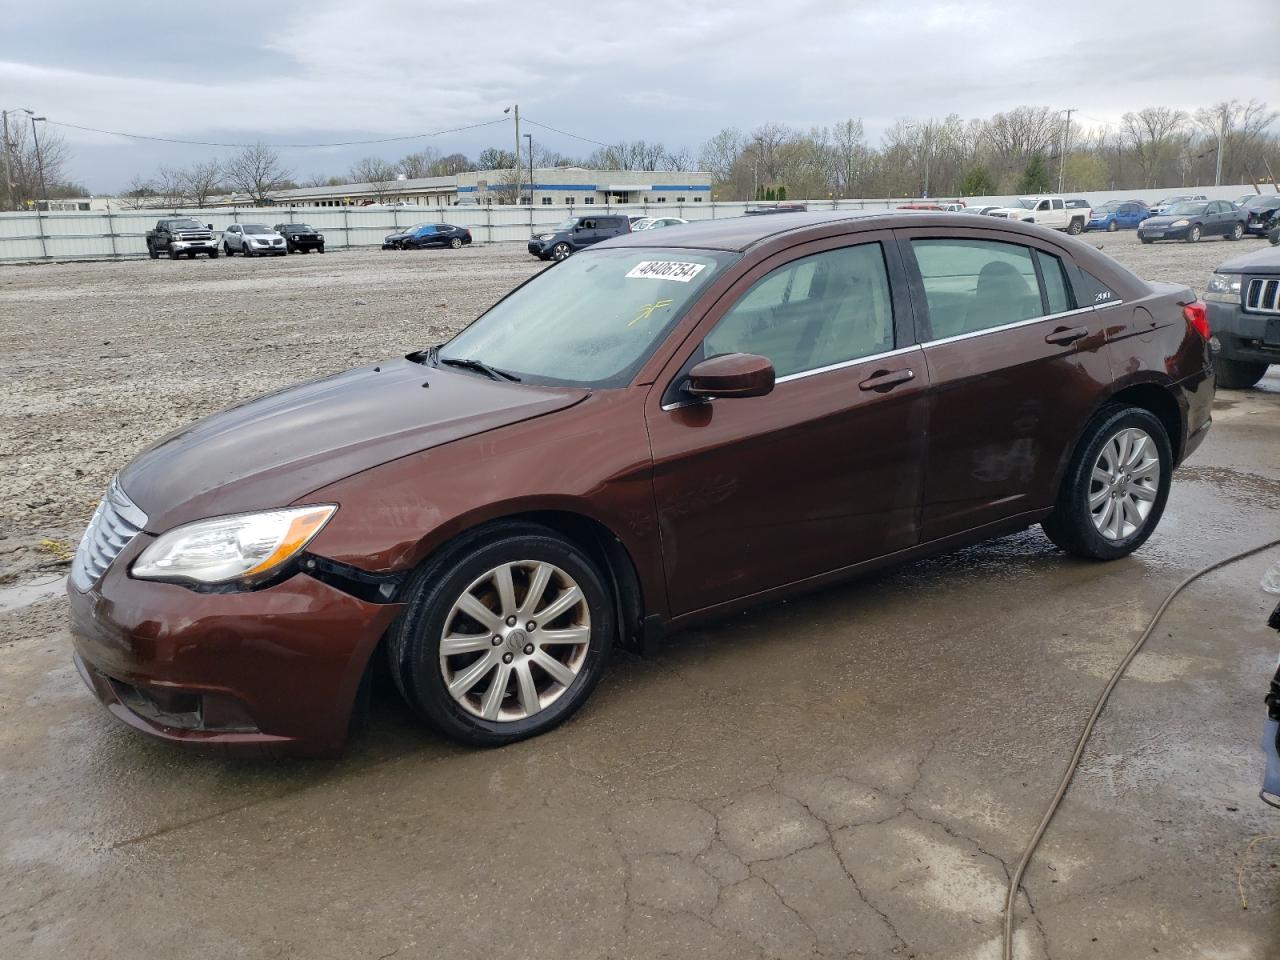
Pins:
<point x="825" y="472"/>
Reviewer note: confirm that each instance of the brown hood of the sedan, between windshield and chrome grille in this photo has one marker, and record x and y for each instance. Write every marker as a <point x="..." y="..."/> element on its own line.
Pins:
<point x="277" y="449"/>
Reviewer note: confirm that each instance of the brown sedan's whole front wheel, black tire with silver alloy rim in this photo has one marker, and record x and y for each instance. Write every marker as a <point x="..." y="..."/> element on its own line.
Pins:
<point x="423" y="675"/>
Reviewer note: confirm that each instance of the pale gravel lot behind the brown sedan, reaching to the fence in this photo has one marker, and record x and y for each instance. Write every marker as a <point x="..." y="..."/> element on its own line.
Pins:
<point x="99" y="360"/>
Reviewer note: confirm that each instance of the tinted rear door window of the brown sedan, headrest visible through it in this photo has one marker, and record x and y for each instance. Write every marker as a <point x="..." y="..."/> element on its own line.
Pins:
<point x="976" y="285"/>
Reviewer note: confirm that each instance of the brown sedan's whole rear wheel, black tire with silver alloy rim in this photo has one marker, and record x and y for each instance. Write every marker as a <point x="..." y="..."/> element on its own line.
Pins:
<point x="1080" y="518"/>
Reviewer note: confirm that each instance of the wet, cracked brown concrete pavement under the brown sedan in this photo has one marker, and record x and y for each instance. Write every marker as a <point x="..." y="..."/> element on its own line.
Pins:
<point x="845" y="775"/>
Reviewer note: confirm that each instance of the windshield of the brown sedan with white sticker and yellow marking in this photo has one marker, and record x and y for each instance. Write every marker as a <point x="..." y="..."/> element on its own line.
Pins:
<point x="591" y="321"/>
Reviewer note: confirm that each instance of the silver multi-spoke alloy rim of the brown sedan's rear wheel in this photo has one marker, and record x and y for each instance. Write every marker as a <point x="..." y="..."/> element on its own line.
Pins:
<point x="1124" y="484"/>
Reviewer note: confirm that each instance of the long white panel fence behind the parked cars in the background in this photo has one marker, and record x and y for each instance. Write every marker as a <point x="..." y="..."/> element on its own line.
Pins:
<point x="36" y="236"/>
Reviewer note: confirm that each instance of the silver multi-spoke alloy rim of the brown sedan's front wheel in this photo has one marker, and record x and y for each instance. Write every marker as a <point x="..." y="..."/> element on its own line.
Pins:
<point x="515" y="641"/>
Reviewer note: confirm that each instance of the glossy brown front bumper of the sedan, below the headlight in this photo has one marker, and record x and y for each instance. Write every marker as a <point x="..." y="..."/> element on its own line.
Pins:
<point x="267" y="671"/>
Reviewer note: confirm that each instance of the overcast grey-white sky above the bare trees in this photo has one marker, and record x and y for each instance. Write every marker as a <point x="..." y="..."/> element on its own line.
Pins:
<point x="676" y="72"/>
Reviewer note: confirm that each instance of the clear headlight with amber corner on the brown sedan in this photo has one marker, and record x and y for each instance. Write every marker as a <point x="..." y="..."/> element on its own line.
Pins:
<point x="232" y="548"/>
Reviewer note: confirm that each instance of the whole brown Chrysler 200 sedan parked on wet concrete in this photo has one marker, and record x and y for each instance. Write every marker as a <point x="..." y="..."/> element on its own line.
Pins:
<point x="666" y="428"/>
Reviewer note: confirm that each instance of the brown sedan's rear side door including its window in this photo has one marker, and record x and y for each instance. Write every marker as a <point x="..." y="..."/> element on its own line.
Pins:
<point x="1016" y="369"/>
